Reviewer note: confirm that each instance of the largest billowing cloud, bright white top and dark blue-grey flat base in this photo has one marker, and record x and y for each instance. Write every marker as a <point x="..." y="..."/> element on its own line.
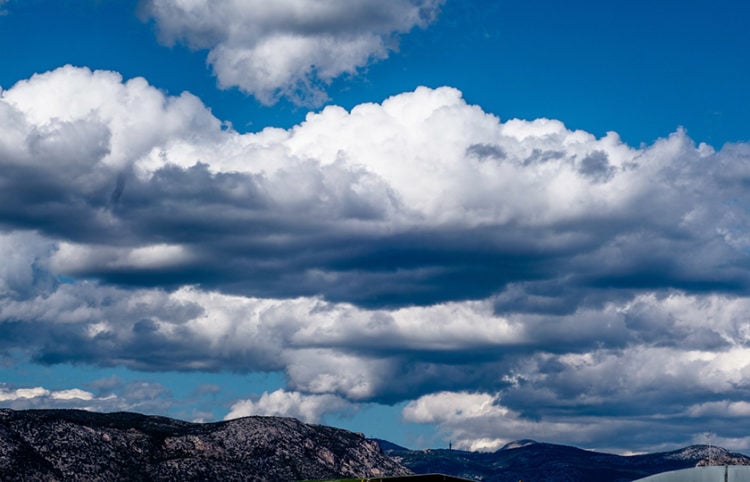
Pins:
<point x="393" y="204"/>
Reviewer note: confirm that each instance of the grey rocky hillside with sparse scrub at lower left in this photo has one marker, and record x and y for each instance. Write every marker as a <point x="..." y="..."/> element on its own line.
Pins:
<point x="68" y="445"/>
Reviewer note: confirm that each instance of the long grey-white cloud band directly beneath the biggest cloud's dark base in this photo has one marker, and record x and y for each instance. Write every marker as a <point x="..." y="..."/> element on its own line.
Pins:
<point x="610" y="357"/>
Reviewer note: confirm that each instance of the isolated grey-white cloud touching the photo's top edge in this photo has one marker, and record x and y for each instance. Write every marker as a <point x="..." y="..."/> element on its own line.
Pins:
<point x="292" y="48"/>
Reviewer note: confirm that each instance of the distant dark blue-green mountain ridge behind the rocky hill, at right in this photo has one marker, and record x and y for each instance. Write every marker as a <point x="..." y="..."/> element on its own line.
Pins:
<point x="529" y="460"/>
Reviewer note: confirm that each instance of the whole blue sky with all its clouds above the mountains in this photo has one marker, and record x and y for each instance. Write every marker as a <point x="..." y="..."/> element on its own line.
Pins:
<point x="424" y="220"/>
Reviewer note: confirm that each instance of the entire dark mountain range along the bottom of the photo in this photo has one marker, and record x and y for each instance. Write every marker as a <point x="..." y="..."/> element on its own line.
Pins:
<point x="62" y="445"/>
